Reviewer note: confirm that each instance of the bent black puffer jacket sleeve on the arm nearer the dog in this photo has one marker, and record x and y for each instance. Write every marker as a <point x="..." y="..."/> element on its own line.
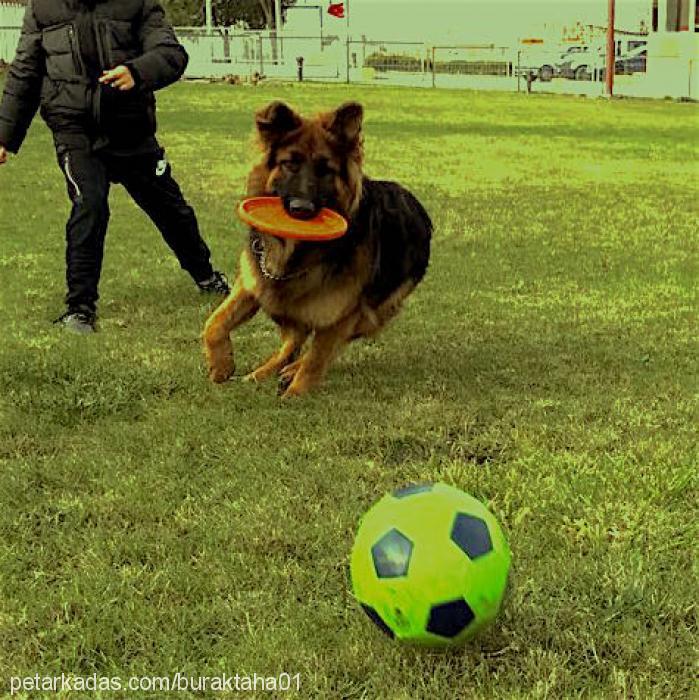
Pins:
<point x="163" y="60"/>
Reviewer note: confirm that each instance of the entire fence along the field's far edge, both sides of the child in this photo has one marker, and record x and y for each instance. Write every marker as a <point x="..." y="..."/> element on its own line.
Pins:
<point x="575" y="69"/>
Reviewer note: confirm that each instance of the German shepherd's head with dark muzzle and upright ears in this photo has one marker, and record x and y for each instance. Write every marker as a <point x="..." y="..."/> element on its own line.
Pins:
<point x="310" y="163"/>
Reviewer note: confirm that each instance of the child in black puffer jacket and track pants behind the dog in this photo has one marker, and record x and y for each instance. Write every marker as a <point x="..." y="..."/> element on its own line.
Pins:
<point x="92" y="67"/>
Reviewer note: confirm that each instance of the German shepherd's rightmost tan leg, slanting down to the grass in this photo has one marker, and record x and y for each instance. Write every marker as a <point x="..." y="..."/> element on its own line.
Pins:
<point x="311" y="368"/>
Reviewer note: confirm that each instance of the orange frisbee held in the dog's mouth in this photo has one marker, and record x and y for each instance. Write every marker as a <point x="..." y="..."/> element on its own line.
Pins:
<point x="267" y="215"/>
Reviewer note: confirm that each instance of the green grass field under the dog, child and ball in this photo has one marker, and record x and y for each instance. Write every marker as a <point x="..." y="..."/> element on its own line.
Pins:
<point x="151" y="522"/>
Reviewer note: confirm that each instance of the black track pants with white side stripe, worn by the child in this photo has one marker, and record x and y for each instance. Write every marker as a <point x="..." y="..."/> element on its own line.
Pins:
<point x="148" y="180"/>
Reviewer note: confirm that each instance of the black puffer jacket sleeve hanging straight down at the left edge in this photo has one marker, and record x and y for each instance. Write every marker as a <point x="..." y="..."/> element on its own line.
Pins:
<point x="22" y="94"/>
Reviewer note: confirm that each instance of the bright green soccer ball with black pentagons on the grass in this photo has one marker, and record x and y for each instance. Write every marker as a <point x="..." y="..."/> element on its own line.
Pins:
<point x="429" y="565"/>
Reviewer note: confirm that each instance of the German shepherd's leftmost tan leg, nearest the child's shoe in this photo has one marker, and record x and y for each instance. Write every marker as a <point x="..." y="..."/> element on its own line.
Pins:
<point x="238" y="307"/>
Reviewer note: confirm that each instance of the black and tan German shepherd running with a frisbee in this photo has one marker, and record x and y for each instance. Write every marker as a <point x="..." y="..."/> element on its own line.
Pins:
<point x="334" y="291"/>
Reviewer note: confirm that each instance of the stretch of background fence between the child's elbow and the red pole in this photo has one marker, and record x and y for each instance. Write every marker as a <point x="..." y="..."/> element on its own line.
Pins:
<point x="334" y="59"/>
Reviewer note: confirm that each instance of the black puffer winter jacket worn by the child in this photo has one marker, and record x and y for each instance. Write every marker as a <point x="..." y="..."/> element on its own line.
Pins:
<point x="49" y="71"/>
